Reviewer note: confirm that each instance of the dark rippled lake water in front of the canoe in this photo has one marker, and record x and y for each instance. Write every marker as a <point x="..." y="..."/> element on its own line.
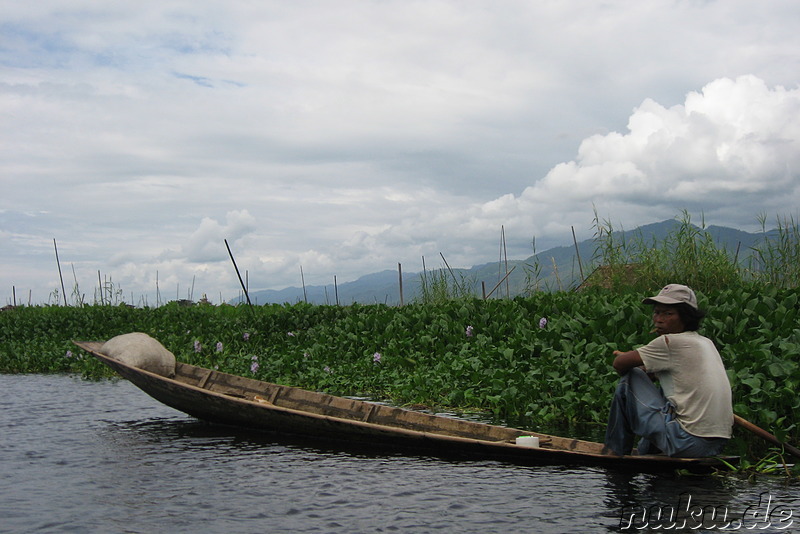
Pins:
<point x="88" y="456"/>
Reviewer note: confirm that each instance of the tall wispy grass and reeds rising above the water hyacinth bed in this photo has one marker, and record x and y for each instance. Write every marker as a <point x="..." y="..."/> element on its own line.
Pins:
<point x="631" y="261"/>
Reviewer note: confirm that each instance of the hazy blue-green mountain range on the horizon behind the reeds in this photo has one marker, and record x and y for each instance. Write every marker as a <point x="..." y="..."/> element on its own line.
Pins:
<point x="558" y="269"/>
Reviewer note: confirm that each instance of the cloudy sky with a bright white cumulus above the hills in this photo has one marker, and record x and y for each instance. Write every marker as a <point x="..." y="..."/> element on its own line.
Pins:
<point x="349" y="136"/>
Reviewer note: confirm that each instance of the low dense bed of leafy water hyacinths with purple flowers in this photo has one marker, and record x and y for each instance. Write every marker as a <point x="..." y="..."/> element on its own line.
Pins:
<point x="554" y="375"/>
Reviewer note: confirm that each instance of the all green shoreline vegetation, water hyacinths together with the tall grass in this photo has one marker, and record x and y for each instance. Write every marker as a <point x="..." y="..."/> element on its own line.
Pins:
<point x="540" y="360"/>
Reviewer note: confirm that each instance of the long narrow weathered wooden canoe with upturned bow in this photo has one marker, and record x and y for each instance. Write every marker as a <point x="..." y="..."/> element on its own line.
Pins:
<point x="245" y="402"/>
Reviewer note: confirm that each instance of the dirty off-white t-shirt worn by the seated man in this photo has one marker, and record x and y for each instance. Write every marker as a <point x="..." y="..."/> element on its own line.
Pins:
<point x="694" y="380"/>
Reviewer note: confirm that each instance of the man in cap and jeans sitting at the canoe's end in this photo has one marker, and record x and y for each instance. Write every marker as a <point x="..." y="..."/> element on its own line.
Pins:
<point x="691" y="414"/>
